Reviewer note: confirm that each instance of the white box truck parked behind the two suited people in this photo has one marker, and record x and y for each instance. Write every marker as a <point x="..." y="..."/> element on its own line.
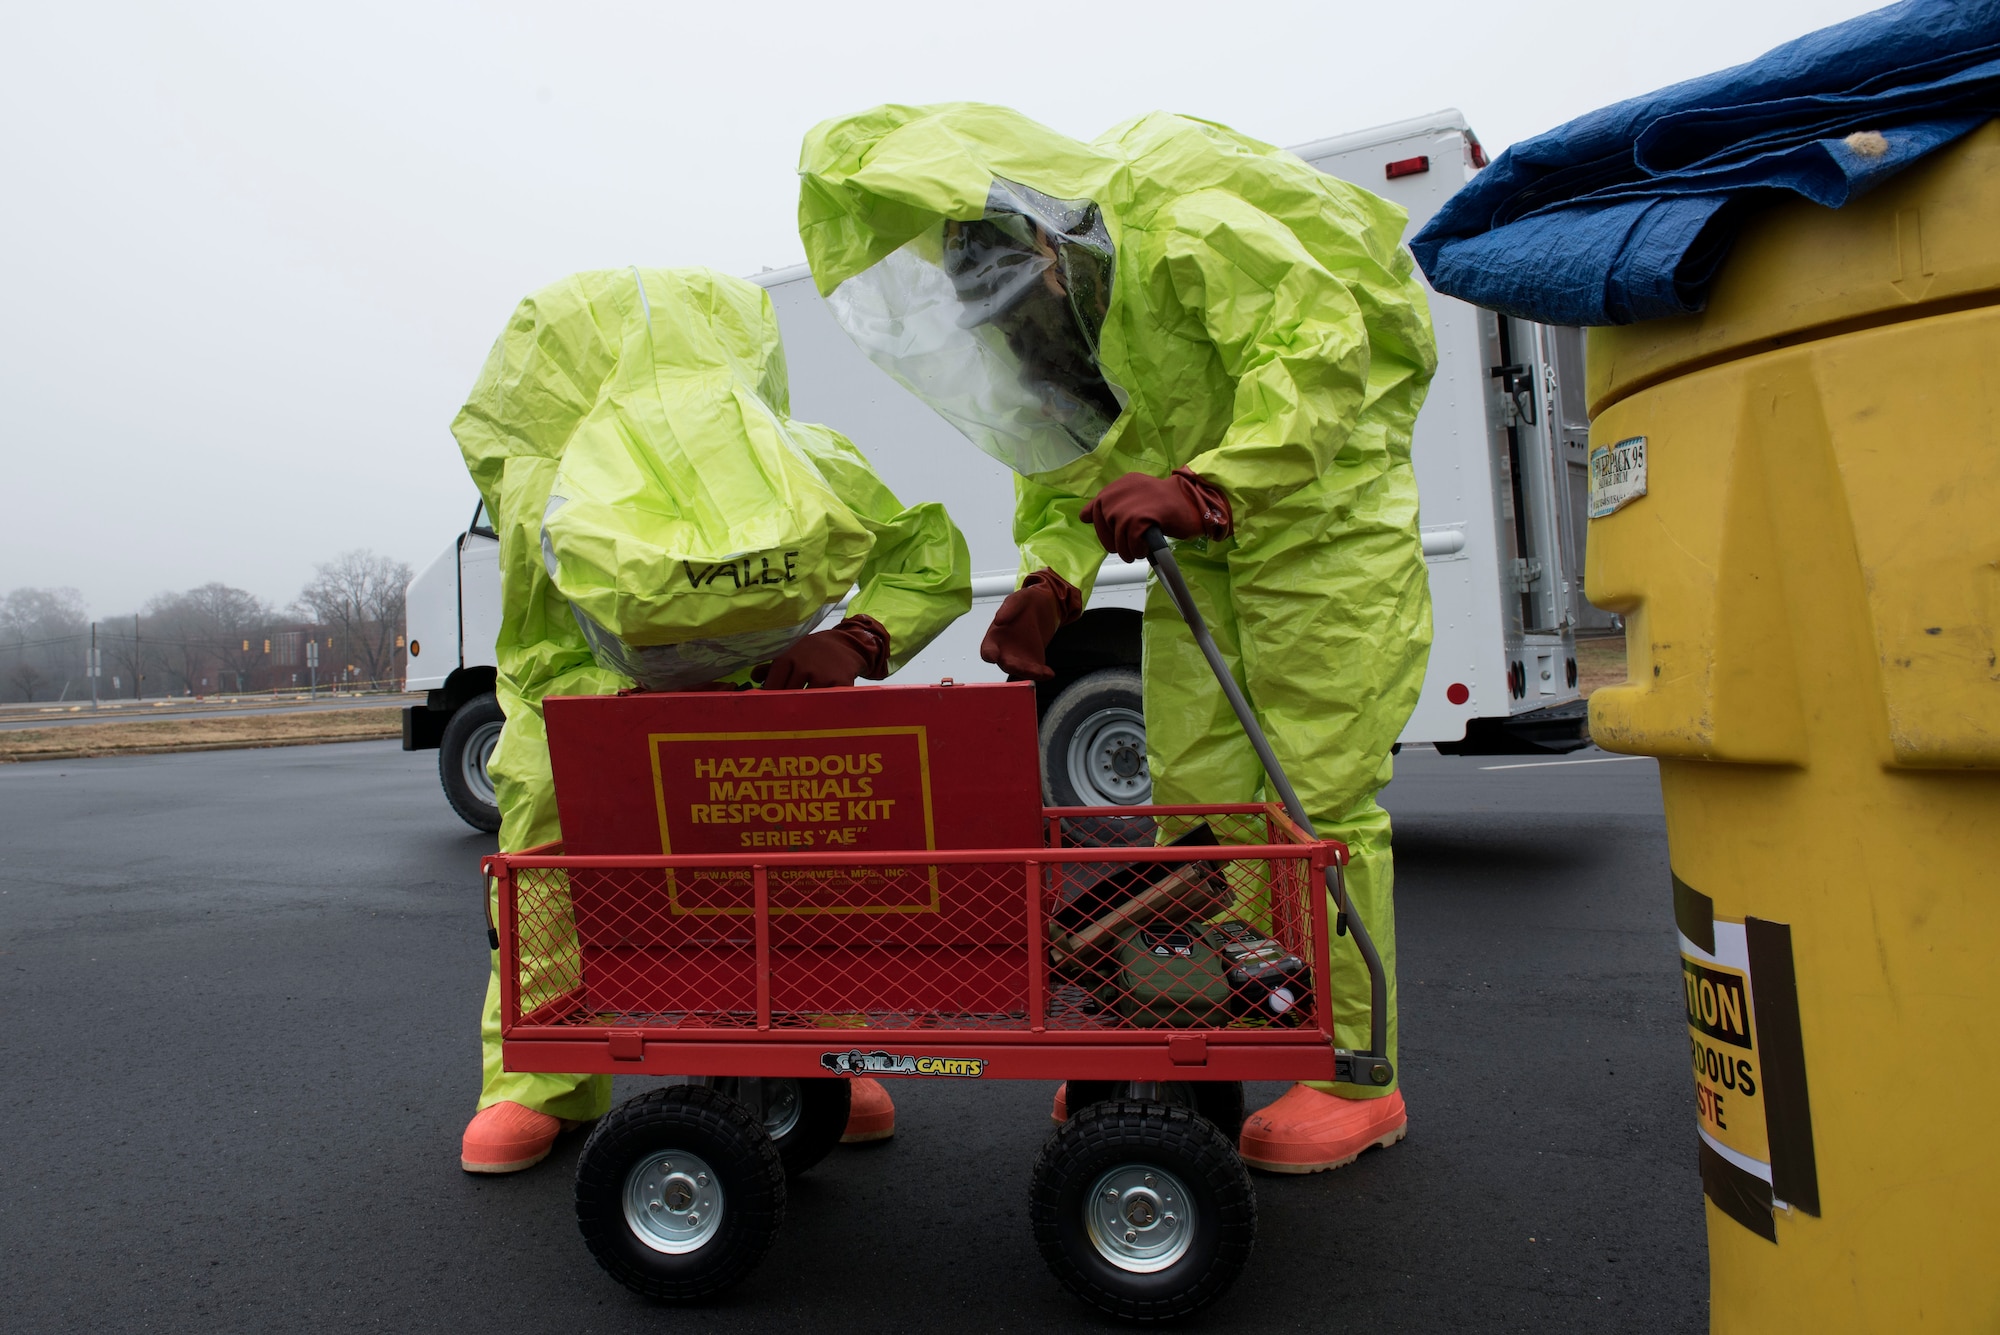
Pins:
<point x="1501" y="457"/>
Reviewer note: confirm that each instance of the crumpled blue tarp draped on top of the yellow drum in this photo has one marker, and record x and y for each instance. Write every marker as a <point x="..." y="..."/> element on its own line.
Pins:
<point x="1627" y="213"/>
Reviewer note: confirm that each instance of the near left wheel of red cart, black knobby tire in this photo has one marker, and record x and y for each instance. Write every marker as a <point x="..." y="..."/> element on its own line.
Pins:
<point x="679" y="1192"/>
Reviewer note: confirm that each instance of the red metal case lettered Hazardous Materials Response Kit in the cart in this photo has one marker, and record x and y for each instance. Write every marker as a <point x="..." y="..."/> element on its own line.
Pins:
<point x="751" y="774"/>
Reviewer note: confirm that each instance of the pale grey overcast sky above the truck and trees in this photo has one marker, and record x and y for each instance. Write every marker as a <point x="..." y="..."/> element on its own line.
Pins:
<point x="255" y="255"/>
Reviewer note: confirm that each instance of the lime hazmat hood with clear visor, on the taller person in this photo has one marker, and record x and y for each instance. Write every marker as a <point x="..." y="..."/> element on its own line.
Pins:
<point x="969" y="253"/>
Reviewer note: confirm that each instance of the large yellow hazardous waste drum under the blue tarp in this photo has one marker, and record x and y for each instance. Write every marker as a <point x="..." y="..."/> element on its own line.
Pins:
<point x="1797" y="509"/>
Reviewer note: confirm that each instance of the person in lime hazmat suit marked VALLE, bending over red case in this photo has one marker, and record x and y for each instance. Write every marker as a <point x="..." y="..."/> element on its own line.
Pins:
<point x="633" y="425"/>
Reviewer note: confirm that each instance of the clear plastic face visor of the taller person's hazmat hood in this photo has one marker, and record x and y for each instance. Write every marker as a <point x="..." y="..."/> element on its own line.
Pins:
<point x="995" y="325"/>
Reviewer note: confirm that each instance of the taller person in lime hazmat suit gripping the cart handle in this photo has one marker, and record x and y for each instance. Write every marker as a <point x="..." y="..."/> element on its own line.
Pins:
<point x="1175" y="327"/>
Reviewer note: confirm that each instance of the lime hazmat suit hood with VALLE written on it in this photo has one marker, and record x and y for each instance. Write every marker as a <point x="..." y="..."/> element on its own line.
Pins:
<point x="685" y="523"/>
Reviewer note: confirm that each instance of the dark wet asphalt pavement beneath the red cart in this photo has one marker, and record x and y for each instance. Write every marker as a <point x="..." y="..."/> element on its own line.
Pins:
<point x="241" y="998"/>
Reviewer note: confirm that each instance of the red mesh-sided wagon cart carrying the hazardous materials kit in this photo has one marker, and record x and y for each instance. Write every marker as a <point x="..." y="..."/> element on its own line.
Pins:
<point x="773" y="894"/>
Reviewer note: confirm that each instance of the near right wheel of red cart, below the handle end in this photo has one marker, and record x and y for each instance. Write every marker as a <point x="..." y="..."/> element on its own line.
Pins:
<point x="1143" y="1210"/>
